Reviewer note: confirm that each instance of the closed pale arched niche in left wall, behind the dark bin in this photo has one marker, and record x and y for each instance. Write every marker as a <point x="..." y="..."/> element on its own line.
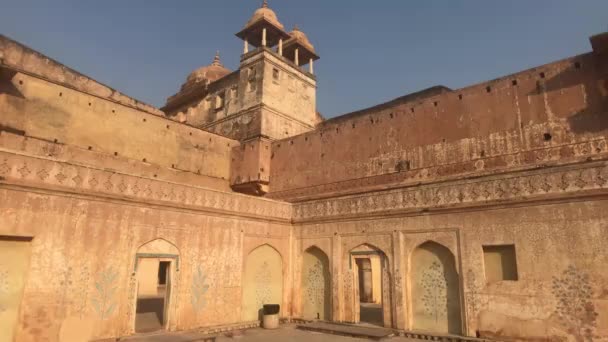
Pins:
<point x="262" y="281"/>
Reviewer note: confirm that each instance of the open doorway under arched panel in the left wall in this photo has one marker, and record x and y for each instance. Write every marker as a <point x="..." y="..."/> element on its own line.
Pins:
<point x="156" y="263"/>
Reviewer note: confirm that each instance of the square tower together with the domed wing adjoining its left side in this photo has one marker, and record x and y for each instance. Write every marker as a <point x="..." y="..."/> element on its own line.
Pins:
<point x="271" y="96"/>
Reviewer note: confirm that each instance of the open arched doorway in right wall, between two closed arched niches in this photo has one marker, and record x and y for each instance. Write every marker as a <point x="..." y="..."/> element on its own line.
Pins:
<point x="371" y="286"/>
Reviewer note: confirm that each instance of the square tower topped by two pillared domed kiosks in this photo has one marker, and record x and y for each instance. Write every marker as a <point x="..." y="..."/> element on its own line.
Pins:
<point x="280" y="93"/>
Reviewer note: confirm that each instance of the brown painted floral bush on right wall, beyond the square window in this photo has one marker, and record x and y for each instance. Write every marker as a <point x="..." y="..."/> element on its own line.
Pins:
<point x="575" y="307"/>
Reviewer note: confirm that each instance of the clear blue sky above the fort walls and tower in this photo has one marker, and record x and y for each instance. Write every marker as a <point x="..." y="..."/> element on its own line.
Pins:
<point x="371" y="50"/>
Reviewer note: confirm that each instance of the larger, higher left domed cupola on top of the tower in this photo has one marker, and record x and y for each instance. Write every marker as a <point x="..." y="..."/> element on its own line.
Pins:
<point x="263" y="29"/>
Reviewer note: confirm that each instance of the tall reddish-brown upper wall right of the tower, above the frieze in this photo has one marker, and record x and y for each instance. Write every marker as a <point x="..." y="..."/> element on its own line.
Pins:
<point x="551" y="113"/>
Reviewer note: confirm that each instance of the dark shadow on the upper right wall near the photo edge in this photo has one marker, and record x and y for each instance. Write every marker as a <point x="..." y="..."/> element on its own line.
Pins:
<point x="592" y="119"/>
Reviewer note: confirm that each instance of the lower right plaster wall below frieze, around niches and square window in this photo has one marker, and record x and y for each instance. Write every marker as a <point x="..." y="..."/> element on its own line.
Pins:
<point x="559" y="257"/>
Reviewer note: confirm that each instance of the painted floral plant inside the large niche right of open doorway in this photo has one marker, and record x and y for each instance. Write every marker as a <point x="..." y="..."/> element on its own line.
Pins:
<point x="435" y="288"/>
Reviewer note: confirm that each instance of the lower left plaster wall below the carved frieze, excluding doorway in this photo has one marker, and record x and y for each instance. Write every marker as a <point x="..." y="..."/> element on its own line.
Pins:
<point x="69" y="278"/>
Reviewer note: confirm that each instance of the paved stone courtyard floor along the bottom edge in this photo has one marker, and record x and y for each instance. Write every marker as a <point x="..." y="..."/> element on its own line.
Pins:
<point x="287" y="333"/>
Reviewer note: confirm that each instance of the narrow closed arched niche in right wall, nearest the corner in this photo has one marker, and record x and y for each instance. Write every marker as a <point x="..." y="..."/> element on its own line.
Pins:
<point x="316" y="285"/>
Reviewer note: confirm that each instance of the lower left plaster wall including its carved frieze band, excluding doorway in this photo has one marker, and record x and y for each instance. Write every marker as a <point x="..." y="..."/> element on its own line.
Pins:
<point x="87" y="226"/>
